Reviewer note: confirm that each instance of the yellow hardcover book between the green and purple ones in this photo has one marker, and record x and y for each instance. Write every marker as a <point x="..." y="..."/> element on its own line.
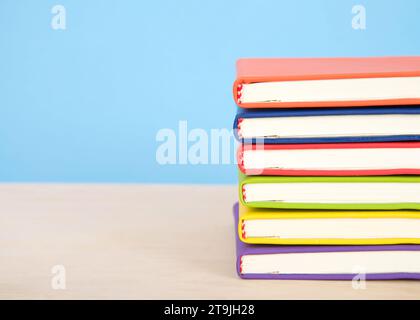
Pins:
<point x="315" y="227"/>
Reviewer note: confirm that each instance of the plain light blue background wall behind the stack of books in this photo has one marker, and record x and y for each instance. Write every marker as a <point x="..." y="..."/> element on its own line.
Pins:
<point x="84" y="104"/>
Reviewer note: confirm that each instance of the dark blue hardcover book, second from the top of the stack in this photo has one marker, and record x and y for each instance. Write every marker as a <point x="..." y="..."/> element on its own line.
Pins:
<point x="331" y="125"/>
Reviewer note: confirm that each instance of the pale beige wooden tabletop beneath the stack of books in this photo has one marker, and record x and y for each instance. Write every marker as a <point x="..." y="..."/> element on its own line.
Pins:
<point x="140" y="242"/>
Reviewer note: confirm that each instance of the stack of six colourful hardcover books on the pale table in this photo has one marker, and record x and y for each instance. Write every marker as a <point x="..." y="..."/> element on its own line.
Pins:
<point x="329" y="182"/>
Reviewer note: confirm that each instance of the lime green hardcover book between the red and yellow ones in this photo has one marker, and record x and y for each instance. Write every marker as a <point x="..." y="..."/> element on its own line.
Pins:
<point x="329" y="193"/>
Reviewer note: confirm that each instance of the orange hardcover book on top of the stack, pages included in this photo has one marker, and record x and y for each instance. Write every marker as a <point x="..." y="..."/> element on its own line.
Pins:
<point x="324" y="82"/>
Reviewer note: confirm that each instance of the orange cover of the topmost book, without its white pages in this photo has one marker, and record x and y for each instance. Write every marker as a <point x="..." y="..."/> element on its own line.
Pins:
<point x="265" y="70"/>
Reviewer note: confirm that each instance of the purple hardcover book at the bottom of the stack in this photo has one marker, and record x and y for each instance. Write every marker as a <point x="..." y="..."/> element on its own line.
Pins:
<point x="381" y="262"/>
